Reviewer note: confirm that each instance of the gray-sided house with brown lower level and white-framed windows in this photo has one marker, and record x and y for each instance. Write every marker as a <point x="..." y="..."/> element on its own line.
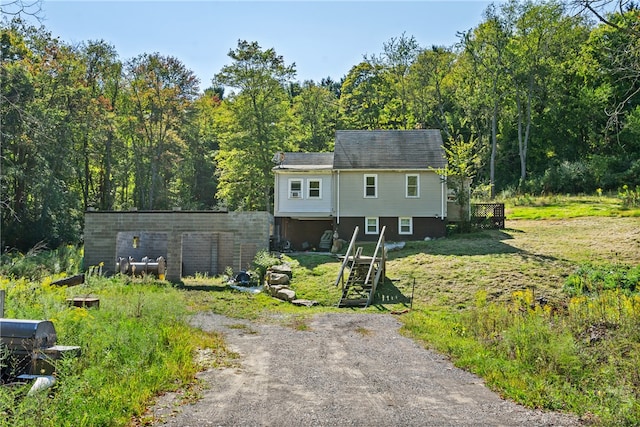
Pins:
<point x="372" y="179"/>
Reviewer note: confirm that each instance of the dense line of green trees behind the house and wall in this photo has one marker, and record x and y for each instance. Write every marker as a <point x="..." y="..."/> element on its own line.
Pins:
<point x="546" y="97"/>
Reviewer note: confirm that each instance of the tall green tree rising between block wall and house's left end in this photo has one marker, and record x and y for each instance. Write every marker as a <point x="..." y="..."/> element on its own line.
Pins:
<point x="255" y="123"/>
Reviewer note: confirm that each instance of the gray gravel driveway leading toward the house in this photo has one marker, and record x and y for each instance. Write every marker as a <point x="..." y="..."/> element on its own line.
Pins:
<point x="345" y="370"/>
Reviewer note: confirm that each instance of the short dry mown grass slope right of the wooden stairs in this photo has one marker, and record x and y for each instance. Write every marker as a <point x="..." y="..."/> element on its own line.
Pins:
<point x="529" y="254"/>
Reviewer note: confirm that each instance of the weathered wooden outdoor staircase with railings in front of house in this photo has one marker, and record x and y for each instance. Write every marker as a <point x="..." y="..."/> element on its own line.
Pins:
<point x="362" y="273"/>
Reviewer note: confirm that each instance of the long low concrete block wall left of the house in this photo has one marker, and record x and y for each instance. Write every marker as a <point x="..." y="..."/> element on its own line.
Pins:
<point x="193" y="240"/>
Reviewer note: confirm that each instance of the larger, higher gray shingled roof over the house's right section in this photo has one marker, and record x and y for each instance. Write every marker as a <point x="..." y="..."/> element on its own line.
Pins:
<point x="389" y="149"/>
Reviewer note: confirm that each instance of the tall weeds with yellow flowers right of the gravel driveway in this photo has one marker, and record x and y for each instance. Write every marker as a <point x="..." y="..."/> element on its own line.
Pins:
<point x="582" y="358"/>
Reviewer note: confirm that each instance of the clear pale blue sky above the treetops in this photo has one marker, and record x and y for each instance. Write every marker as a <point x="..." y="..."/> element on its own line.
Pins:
<point x="323" y="38"/>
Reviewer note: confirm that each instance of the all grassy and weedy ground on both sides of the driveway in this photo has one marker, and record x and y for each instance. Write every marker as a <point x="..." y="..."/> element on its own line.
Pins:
<point x="546" y="311"/>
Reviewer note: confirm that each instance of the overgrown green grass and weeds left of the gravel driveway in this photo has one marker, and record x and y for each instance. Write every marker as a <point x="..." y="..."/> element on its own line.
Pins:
<point x="135" y="346"/>
